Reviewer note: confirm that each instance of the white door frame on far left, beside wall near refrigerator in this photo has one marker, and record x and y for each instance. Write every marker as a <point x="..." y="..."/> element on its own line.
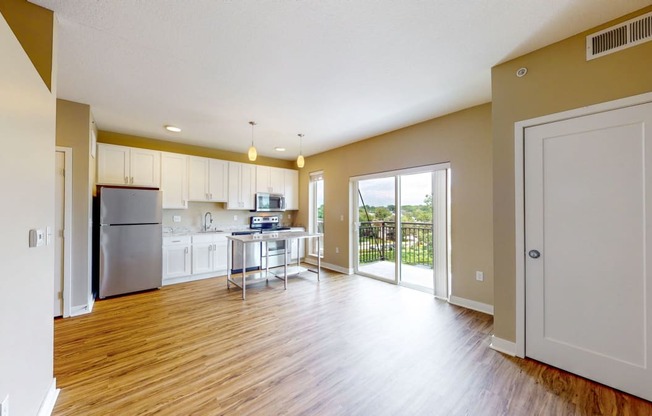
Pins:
<point x="67" y="231"/>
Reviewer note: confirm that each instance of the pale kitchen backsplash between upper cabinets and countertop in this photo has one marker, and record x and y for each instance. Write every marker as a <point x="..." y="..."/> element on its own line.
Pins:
<point x="192" y="218"/>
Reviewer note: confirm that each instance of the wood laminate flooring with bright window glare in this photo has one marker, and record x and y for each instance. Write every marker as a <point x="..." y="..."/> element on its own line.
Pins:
<point x="347" y="345"/>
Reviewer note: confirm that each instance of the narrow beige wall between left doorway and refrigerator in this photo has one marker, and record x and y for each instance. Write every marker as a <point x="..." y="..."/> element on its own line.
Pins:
<point x="73" y="130"/>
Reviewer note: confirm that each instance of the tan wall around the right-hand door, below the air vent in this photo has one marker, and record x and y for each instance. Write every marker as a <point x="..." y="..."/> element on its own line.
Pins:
<point x="559" y="78"/>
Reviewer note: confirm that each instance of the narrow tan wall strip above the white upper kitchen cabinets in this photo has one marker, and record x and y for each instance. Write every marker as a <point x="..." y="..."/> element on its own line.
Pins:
<point x="155" y="144"/>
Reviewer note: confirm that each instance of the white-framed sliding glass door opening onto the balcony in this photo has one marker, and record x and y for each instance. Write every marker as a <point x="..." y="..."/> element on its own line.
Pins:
<point x="401" y="228"/>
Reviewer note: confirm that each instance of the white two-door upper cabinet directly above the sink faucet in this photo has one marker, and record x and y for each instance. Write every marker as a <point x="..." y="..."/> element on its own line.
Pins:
<point x="207" y="179"/>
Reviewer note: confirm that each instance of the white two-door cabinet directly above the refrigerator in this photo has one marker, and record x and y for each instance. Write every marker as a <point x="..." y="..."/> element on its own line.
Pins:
<point x="122" y="165"/>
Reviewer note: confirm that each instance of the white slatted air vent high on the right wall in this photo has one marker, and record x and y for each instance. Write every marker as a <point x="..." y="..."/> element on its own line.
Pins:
<point x="624" y="35"/>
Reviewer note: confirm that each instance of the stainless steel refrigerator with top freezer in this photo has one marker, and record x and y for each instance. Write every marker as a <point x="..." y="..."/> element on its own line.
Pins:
<point x="130" y="258"/>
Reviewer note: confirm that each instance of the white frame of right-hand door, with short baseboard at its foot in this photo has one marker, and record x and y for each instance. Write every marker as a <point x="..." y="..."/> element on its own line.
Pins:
<point x="518" y="348"/>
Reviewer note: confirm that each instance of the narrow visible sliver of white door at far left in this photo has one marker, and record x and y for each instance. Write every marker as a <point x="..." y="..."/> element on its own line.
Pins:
<point x="59" y="211"/>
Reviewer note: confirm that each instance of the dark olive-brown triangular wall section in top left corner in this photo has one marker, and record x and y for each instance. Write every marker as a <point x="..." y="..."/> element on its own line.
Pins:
<point x="33" y="26"/>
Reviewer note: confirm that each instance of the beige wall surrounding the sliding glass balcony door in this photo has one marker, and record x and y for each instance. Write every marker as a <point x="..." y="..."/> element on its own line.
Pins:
<point x="464" y="140"/>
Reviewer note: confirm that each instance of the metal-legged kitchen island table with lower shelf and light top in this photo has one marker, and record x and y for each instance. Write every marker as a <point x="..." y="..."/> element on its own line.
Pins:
<point x="265" y="274"/>
